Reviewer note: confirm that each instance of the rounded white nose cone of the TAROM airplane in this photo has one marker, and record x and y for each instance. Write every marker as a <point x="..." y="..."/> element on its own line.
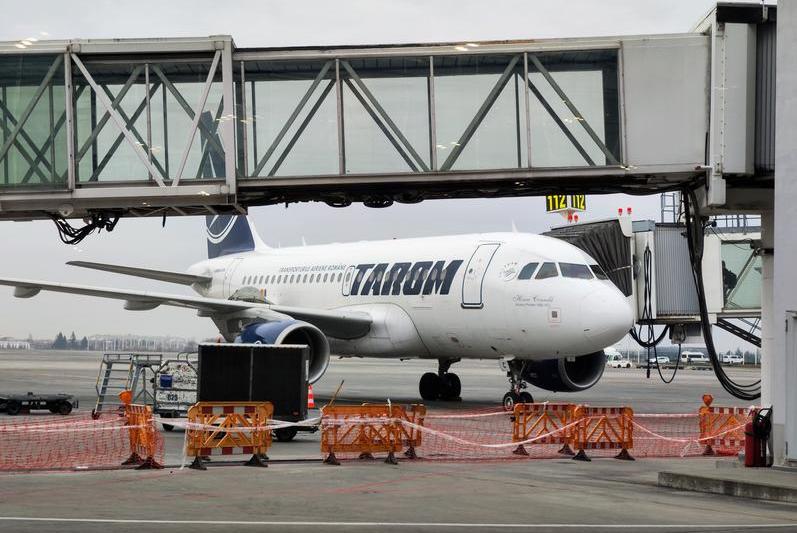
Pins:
<point x="605" y="316"/>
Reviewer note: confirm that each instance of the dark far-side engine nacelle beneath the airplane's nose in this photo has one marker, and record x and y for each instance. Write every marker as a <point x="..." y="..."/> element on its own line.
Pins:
<point x="568" y="374"/>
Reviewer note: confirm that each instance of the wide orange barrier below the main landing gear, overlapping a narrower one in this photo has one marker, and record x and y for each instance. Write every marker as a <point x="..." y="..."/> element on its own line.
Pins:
<point x="362" y="429"/>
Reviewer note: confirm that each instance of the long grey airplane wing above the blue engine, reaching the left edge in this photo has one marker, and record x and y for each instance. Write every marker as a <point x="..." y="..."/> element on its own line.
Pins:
<point x="340" y="324"/>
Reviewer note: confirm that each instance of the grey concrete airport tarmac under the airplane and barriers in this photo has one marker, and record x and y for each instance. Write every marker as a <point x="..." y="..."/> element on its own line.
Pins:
<point x="298" y="493"/>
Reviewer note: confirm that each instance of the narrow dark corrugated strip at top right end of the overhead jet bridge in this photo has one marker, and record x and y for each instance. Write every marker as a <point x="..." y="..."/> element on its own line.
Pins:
<point x="765" y="99"/>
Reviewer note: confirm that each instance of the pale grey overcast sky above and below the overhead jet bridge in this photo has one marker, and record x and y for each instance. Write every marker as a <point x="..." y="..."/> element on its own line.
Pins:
<point x="32" y="249"/>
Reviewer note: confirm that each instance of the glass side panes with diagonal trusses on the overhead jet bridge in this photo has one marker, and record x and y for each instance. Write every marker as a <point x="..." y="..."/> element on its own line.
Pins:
<point x="358" y="115"/>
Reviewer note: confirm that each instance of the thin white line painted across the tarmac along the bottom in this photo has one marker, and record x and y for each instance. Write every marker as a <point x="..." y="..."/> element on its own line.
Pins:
<point x="464" y="525"/>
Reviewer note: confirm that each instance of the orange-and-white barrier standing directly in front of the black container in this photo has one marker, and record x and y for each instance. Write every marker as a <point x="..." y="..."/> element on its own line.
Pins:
<point x="229" y="428"/>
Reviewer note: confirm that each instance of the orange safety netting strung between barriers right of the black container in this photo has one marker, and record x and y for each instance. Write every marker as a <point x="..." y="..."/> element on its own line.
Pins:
<point x="492" y="434"/>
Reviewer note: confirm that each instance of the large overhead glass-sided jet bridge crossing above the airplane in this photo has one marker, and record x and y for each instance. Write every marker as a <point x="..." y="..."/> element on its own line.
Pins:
<point x="150" y="127"/>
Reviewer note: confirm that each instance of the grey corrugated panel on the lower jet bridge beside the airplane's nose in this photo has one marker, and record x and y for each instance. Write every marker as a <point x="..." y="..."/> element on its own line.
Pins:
<point x="675" y="290"/>
